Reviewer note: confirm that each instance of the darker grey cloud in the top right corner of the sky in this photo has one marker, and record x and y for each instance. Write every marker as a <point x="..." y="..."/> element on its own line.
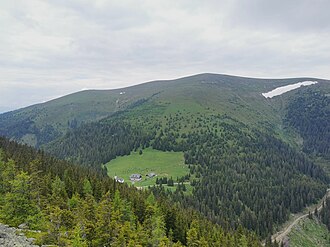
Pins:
<point x="291" y="15"/>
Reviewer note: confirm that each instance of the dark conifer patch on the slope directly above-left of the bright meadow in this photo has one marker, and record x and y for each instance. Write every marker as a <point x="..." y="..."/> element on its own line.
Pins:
<point x="96" y="143"/>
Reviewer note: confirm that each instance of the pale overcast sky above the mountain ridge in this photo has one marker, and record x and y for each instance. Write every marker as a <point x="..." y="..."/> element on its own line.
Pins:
<point x="52" y="48"/>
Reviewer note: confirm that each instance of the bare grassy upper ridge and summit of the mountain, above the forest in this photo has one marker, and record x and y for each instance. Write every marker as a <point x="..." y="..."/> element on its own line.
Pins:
<point x="238" y="97"/>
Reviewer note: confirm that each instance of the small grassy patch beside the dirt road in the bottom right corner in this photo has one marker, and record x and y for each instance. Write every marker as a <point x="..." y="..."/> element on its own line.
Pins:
<point x="309" y="233"/>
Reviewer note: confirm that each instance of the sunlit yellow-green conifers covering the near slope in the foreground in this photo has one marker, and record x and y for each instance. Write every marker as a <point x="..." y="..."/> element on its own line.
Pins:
<point x="77" y="206"/>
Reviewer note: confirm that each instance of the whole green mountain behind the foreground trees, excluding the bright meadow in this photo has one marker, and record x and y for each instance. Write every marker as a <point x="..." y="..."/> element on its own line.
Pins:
<point x="242" y="150"/>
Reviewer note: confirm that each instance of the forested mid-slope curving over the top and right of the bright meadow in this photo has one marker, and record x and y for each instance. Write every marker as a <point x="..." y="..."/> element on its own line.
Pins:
<point x="239" y="174"/>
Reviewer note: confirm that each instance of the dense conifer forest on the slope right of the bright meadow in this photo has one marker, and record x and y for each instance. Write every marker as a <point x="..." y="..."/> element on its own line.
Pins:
<point x="260" y="179"/>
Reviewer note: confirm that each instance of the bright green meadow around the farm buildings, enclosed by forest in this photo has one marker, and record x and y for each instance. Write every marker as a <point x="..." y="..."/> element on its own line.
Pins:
<point x="164" y="164"/>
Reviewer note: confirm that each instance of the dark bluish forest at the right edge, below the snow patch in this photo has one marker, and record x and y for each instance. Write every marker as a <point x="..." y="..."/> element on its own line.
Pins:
<point x="309" y="114"/>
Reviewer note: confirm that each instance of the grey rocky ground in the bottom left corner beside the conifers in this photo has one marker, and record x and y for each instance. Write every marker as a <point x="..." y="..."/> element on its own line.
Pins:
<point x="10" y="237"/>
